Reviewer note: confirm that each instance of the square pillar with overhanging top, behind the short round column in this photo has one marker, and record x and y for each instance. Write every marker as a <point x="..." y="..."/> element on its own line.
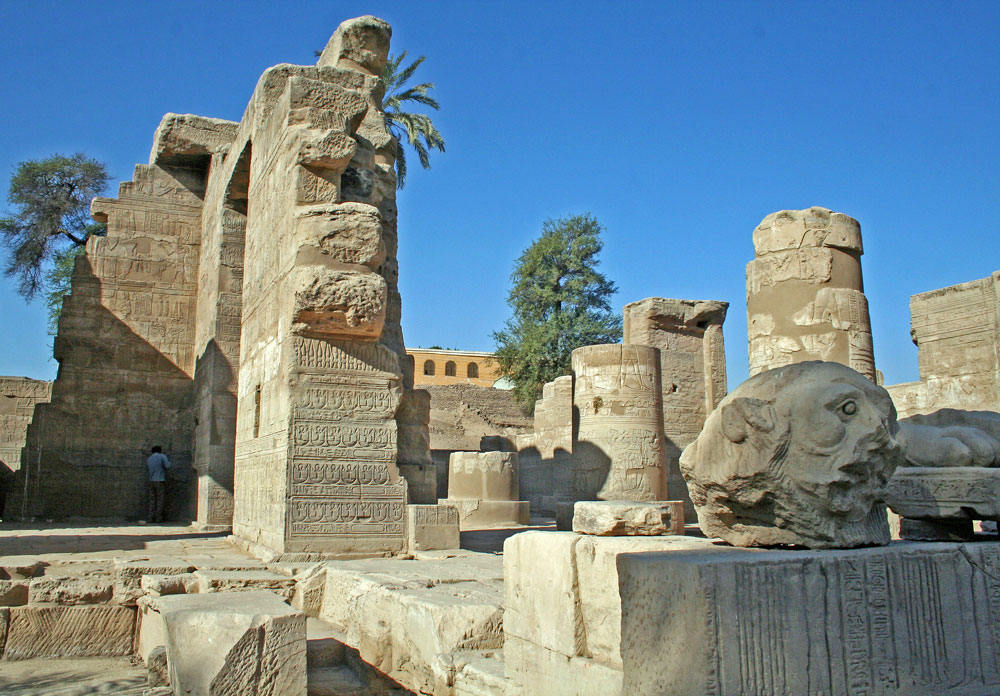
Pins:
<point x="688" y="334"/>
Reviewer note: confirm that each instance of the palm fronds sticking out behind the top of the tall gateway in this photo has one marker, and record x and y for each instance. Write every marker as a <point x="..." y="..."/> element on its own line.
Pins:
<point x="420" y="131"/>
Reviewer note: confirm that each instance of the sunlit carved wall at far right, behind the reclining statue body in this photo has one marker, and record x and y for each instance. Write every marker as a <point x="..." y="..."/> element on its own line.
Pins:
<point x="957" y="333"/>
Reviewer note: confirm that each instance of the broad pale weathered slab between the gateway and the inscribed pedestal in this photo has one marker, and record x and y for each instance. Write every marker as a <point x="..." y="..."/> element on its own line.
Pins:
<point x="404" y="617"/>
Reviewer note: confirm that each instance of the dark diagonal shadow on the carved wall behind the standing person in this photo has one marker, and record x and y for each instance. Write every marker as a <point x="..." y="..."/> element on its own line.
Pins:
<point x="115" y="396"/>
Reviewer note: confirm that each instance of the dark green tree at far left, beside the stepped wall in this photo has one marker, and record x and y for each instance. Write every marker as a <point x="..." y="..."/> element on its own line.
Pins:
<point x="50" y="223"/>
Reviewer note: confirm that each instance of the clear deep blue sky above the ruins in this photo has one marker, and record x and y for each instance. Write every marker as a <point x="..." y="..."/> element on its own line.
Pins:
<point x="679" y="125"/>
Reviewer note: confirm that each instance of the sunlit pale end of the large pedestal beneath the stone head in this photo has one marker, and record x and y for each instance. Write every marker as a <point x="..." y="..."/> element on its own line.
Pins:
<point x="562" y="627"/>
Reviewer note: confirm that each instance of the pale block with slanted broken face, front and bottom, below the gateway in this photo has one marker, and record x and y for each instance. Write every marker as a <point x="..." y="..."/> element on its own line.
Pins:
<point x="234" y="644"/>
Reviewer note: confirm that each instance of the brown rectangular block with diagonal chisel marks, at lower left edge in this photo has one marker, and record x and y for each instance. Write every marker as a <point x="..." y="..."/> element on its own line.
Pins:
<point x="75" y="631"/>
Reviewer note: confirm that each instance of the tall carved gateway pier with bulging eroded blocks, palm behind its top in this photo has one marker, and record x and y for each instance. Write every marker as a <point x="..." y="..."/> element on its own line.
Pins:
<point x="321" y="355"/>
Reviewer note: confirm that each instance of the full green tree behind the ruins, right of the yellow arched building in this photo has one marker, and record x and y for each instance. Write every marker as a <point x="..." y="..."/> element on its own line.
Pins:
<point x="559" y="302"/>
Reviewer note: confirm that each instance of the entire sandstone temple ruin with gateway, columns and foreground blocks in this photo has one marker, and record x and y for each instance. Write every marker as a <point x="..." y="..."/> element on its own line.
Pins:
<point x="243" y="313"/>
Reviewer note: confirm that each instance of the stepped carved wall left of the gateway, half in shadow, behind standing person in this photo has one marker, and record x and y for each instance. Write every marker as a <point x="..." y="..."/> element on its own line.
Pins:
<point x="126" y="356"/>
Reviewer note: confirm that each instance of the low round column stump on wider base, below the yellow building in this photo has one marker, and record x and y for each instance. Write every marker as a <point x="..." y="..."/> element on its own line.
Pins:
<point x="484" y="488"/>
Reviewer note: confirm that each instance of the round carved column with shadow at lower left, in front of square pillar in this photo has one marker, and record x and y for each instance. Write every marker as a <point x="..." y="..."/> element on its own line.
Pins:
<point x="618" y="448"/>
